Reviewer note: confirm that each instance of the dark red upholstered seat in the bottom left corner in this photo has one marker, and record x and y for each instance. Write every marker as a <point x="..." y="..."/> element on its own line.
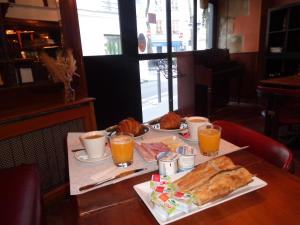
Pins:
<point x="20" y="202"/>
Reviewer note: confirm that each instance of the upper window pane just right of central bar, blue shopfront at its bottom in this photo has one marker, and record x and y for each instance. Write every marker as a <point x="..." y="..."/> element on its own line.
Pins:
<point x="182" y="25"/>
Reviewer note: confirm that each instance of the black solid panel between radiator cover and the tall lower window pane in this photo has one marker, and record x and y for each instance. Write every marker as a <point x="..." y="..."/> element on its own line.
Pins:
<point x="114" y="82"/>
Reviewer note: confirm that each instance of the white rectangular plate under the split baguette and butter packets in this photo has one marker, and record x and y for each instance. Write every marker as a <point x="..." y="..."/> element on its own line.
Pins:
<point x="144" y="192"/>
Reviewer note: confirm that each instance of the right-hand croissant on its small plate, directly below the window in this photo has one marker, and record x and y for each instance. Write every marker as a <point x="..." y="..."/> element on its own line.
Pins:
<point x="170" y="122"/>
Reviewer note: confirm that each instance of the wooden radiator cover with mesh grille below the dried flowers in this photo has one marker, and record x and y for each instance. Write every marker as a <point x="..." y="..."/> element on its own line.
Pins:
<point x="38" y="136"/>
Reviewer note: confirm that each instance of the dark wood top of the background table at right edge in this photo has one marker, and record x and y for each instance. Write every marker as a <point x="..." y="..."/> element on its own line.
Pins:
<point x="284" y="82"/>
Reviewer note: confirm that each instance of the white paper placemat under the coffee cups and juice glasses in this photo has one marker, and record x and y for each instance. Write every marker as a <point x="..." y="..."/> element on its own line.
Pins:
<point x="83" y="173"/>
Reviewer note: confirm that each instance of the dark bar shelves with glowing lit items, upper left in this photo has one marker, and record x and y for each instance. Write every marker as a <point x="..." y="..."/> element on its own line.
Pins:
<point x="22" y="40"/>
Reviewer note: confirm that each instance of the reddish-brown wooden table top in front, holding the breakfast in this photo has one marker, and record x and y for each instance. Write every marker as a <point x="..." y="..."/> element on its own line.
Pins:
<point x="277" y="203"/>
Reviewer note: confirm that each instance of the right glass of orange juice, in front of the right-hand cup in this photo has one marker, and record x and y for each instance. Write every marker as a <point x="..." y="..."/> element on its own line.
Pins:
<point x="209" y="139"/>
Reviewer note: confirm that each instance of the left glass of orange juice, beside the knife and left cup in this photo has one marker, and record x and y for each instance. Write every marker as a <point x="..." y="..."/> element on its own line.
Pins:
<point x="122" y="145"/>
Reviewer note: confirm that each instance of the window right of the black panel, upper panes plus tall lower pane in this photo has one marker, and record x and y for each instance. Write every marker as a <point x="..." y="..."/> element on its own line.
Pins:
<point x="159" y="76"/>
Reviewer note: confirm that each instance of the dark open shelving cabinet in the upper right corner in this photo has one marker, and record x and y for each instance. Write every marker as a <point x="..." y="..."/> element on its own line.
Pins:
<point x="282" y="54"/>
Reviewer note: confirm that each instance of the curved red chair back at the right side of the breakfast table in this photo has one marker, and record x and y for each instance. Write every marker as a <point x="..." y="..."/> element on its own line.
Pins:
<point x="259" y="144"/>
